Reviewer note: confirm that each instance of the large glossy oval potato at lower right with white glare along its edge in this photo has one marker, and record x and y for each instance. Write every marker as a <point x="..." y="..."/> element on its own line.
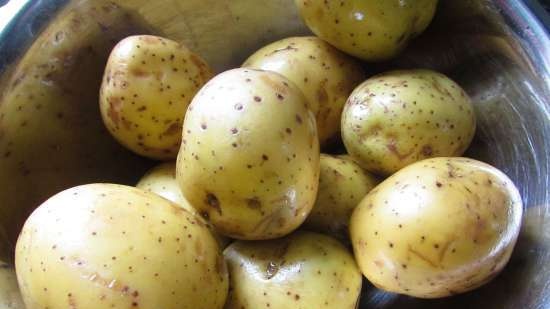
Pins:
<point x="437" y="228"/>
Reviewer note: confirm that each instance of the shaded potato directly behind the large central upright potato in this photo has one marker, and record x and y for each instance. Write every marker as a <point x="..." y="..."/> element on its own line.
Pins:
<point x="325" y="75"/>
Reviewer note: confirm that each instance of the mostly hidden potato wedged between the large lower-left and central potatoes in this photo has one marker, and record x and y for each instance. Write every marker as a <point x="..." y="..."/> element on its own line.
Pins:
<point x="162" y="180"/>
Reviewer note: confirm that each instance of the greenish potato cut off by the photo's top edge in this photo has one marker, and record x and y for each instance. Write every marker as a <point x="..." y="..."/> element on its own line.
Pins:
<point x="373" y="30"/>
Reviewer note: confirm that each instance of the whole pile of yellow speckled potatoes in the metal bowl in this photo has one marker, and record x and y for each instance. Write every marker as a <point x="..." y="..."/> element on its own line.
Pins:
<point x="247" y="212"/>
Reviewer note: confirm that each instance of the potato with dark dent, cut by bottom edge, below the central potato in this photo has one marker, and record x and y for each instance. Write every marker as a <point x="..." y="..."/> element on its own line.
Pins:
<point x="304" y="270"/>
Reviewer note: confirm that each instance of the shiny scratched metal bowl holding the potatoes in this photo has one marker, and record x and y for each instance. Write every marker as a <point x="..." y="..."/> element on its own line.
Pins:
<point x="499" y="51"/>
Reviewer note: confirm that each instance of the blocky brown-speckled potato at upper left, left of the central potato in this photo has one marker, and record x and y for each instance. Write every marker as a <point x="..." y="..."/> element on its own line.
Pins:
<point x="148" y="83"/>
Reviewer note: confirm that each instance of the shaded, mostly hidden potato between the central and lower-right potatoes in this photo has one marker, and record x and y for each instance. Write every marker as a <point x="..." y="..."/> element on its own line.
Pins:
<point x="342" y="185"/>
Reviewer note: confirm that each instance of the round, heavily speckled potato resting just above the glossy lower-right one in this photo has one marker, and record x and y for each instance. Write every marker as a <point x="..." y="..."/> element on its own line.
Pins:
<point x="400" y="117"/>
